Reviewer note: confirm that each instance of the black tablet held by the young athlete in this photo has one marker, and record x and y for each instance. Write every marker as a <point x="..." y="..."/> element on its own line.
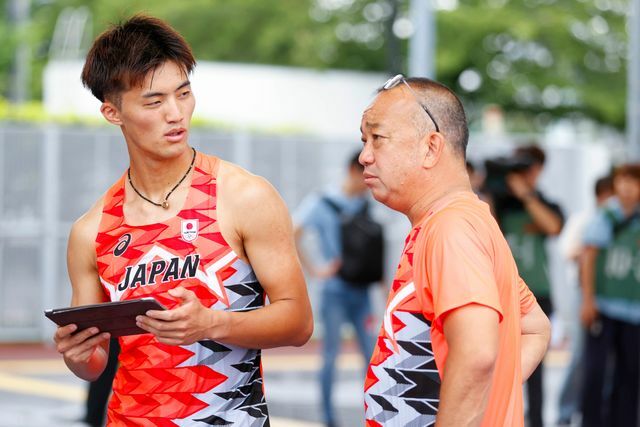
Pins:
<point x="118" y="318"/>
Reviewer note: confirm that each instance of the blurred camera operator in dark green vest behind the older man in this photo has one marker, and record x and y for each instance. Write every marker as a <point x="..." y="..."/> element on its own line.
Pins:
<point x="527" y="219"/>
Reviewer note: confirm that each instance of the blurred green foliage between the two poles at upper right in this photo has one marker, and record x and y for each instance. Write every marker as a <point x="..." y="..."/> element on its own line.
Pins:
<point x="557" y="57"/>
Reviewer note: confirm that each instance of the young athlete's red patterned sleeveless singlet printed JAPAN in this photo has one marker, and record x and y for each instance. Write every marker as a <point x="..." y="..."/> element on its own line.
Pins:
<point x="205" y="383"/>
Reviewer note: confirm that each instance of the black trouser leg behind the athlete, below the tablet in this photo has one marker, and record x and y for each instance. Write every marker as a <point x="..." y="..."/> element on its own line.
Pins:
<point x="100" y="389"/>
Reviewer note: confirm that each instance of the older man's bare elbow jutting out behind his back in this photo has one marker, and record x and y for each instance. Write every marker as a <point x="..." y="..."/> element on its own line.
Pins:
<point x="536" y="332"/>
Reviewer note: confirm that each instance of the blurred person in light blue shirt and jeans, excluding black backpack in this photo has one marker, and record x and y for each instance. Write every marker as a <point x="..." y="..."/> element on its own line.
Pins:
<point x="342" y="299"/>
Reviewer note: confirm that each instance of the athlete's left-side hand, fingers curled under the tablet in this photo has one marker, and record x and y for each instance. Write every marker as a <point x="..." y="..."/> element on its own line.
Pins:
<point x="79" y="347"/>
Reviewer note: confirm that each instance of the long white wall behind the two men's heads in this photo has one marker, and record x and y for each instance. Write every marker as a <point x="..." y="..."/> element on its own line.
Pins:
<point x="326" y="103"/>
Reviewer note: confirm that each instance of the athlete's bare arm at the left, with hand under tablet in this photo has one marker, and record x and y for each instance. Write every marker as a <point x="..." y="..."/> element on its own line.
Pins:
<point x="86" y="352"/>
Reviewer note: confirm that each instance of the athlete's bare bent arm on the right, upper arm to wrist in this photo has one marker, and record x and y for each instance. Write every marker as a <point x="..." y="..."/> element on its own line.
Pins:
<point x="269" y="245"/>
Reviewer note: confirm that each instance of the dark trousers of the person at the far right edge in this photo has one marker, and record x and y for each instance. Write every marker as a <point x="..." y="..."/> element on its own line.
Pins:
<point x="616" y="346"/>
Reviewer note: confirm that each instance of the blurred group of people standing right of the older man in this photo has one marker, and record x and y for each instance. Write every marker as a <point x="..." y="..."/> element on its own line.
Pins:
<point x="601" y="247"/>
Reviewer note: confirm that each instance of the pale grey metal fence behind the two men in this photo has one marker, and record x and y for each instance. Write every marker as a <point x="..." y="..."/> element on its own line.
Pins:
<point x="51" y="175"/>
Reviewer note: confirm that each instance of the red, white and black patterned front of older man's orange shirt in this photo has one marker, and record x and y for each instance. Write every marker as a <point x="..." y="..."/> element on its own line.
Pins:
<point x="402" y="387"/>
